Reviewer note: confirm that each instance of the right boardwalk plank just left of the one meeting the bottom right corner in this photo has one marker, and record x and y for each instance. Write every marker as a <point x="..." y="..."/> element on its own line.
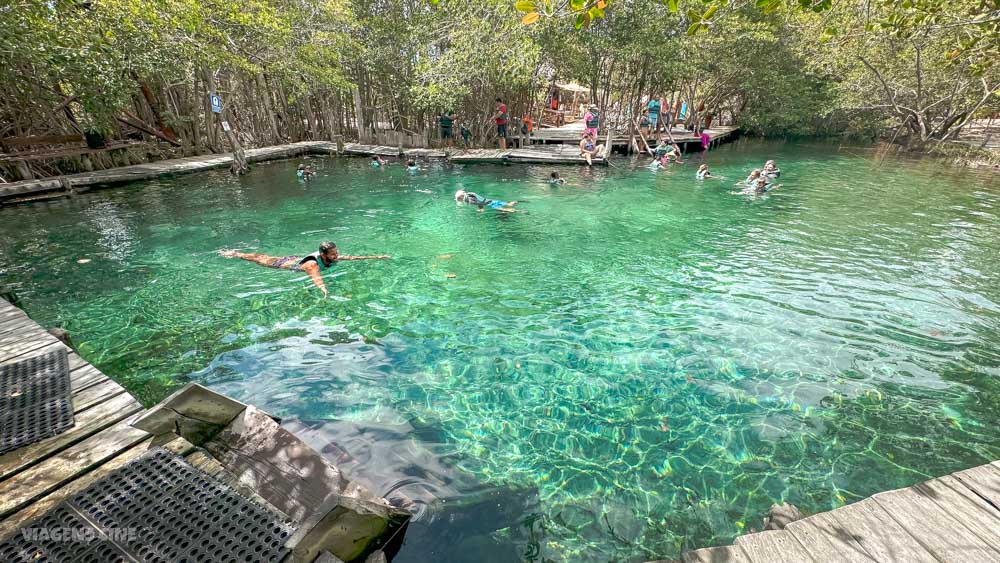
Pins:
<point x="881" y="536"/>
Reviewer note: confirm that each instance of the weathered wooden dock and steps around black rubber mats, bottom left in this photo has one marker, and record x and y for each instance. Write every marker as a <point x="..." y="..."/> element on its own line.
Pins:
<point x="335" y="519"/>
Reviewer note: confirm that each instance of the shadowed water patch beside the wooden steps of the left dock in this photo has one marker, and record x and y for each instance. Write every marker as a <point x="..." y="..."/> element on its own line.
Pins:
<point x="456" y="518"/>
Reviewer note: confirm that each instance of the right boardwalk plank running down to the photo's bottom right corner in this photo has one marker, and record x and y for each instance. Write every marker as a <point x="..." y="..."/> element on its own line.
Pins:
<point x="946" y="538"/>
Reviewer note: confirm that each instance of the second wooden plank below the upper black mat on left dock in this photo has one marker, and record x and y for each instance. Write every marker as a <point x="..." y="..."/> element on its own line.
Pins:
<point x="40" y="480"/>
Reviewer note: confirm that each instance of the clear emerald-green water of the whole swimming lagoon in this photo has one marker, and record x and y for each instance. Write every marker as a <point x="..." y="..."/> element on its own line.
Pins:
<point x="640" y="364"/>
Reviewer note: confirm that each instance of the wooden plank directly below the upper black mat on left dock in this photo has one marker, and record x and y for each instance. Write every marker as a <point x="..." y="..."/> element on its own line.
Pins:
<point x="86" y="424"/>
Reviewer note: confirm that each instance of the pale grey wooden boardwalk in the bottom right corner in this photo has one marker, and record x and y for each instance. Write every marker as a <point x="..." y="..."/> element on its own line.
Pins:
<point x="951" y="519"/>
